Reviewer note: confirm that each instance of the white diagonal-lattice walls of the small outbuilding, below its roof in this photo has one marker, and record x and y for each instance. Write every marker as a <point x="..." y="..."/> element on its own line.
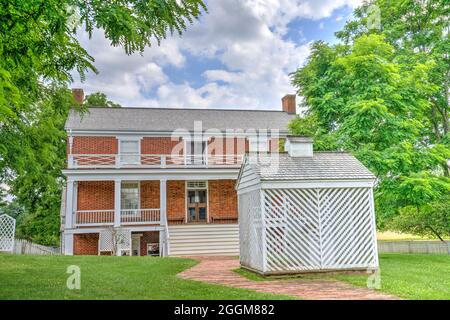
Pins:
<point x="311" y="229"/>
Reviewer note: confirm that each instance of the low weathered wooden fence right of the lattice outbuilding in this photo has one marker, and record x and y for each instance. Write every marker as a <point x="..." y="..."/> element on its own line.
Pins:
<point x="414" y="246"/>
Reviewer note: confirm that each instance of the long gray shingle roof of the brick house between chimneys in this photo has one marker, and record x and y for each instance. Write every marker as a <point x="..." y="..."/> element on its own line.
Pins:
<point x="152" y="119"/>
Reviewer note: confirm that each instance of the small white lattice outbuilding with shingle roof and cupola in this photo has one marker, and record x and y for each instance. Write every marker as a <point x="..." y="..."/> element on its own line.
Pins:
<point x="304" y="211"/>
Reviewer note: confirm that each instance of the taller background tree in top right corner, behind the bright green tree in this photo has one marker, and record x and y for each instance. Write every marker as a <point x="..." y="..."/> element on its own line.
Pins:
<point x="419" y="32"/>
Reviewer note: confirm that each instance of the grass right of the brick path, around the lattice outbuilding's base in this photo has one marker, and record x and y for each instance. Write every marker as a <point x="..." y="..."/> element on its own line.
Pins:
<point x="408" y="276"/>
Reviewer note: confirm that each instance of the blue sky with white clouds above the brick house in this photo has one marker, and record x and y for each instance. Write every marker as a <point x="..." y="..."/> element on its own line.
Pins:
<point x="238" y="55"/>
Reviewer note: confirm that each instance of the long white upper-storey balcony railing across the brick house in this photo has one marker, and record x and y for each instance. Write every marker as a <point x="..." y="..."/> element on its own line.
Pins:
<point x="152" y="160"/>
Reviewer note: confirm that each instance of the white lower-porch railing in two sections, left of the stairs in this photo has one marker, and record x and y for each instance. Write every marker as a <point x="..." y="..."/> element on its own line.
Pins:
<point x="127" y="217"/>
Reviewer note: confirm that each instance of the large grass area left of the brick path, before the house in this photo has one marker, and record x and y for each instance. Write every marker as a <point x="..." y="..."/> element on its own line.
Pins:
<point x="44" y="277"/>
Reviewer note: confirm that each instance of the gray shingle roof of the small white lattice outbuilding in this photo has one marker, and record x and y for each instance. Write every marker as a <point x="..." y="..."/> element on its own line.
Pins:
<point x="322" y="166"/>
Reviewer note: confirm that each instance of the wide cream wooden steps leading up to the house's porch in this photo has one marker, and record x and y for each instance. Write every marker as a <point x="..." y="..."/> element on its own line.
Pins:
<point x="204" y="239"/>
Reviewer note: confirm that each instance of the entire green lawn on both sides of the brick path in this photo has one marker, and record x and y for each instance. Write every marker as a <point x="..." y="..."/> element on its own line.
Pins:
<point x="418" y="276"/>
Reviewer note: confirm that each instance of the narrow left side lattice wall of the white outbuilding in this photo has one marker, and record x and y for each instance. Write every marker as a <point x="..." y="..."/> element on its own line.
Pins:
<point x="250" y="230"/>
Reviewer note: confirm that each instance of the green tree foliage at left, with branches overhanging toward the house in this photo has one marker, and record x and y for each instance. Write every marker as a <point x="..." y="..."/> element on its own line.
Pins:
<point x="39" y="52"/>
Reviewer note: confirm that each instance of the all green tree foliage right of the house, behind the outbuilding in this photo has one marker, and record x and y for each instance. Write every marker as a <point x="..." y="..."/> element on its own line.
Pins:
<point x="383" y="95"/>
